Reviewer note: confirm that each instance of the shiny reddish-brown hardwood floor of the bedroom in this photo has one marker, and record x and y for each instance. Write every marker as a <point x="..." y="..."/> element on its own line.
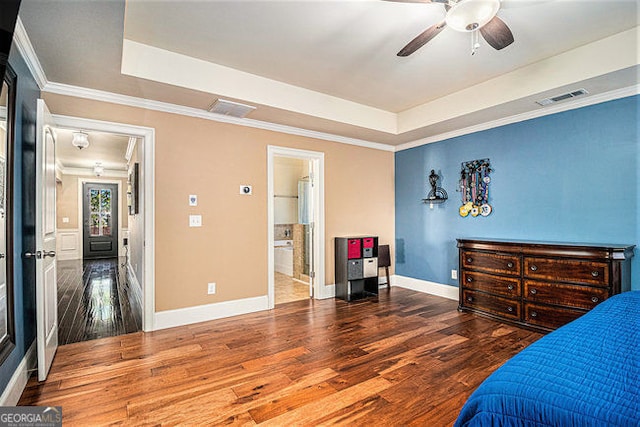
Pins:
<point x="406" y="359"/>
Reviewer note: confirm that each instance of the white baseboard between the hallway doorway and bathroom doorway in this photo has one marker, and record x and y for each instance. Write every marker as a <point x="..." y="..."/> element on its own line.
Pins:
<point x="203" y="313"/>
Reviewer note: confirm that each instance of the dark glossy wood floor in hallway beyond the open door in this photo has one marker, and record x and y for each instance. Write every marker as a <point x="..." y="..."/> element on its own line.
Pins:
<point x="96" y="300"/>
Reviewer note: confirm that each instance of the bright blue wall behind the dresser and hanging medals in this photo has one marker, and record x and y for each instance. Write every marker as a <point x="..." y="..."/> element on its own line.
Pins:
<point x="572" y="177"/>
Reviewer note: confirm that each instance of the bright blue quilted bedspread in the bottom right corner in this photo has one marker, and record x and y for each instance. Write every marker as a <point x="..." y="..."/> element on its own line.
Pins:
<point x="586" y="373"/>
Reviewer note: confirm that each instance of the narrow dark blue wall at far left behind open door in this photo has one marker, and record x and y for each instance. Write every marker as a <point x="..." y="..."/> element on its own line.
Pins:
<point x="27" y="92"/>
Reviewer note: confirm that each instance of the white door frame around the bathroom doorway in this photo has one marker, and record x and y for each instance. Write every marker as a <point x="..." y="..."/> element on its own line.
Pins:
<point x="317" y="159"/>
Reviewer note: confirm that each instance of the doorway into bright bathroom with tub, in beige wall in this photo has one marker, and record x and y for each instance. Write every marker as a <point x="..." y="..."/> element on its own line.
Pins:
<point x="295" y="221"/>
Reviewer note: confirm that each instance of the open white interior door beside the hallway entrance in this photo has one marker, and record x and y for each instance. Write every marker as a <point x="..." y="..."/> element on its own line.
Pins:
<point x="46" y="277"/>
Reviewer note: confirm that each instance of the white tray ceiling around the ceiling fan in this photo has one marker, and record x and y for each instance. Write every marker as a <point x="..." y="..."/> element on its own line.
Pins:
<point x="331" y="66"/>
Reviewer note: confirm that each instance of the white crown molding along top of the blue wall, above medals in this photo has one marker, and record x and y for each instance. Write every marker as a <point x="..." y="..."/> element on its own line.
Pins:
<point x="542" y="111"/>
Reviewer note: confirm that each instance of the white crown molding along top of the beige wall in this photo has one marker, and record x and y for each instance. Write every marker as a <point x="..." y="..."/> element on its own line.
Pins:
<point x="132" y="101"/>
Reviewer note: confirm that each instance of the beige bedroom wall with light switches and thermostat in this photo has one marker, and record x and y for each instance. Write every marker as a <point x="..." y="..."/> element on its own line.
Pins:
<point x="211" y="159"/>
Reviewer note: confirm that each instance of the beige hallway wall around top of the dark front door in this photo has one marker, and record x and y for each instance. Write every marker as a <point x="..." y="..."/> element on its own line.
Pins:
<point x="67" y="200"/>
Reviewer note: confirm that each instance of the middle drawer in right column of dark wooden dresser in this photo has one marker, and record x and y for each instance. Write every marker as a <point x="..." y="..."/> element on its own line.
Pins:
<point x="567" y="295"/>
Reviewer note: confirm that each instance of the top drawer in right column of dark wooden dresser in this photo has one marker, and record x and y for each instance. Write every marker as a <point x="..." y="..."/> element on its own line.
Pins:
<point x="563" y="270"/>
